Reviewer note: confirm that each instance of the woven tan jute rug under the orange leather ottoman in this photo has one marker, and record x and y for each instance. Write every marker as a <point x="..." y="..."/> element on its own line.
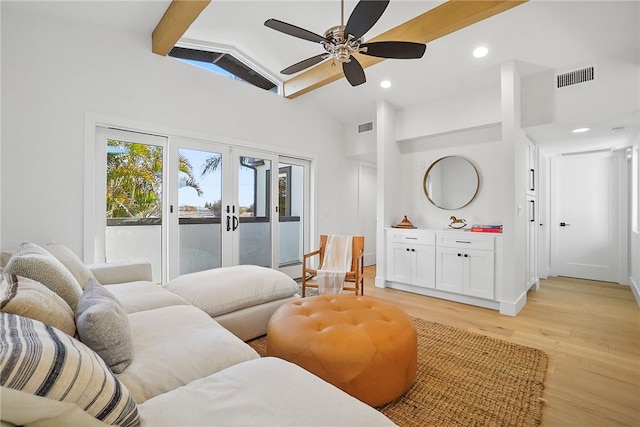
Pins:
<point x="467" y="379"/>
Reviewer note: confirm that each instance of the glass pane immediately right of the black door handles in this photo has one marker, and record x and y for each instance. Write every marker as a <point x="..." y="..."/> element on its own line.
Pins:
<point x="251" y="215"/>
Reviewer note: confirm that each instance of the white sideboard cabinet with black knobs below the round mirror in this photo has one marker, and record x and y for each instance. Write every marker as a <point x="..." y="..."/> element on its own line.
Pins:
<point x="456" y="265"/>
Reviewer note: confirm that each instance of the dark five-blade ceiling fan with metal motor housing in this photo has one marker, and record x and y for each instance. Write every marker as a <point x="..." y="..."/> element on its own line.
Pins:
<point x="342" y="41"/>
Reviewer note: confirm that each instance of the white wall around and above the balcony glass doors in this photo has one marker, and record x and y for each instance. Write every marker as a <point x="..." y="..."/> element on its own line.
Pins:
<point x="54" y="72"/>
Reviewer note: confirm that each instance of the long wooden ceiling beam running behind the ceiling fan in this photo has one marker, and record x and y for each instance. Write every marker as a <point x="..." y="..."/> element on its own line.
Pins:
<point x="433" y="24"/>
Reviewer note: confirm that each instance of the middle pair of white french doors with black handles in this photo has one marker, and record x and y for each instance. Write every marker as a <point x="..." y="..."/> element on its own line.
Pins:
<point x="221" y="210"/>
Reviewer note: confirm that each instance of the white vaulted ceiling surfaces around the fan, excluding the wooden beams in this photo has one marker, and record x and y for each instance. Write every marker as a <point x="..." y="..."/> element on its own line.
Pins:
<point x="540" y="35"/>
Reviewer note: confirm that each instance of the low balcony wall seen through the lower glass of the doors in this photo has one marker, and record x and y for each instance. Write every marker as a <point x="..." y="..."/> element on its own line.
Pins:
<point x="200" y="242"/>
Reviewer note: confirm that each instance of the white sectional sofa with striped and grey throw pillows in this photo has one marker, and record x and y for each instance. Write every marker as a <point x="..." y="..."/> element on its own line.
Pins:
<point x="135" y="353"/>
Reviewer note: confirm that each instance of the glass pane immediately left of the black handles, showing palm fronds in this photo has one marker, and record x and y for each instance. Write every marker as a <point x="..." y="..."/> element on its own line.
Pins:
<point x="199" y="209"/>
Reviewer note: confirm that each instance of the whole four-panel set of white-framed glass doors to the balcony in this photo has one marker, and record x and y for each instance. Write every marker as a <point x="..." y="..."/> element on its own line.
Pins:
<point x="209" y="205"/>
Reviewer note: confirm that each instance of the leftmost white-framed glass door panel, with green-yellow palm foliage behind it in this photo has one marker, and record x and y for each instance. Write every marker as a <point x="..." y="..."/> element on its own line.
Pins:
<point x="130" y="198"/>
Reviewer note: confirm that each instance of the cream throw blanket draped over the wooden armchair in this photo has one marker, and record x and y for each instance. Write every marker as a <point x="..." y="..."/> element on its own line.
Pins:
<point x="335" y="265"/>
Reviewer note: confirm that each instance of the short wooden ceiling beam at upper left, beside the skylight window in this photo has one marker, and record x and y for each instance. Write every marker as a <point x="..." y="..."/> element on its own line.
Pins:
<point x="174" y="23"/>
